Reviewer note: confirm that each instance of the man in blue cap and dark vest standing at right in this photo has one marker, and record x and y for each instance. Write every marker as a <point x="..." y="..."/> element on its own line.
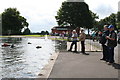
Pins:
<point x="111" y="44"/>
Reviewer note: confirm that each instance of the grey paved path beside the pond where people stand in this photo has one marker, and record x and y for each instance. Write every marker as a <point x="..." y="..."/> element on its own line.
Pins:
<point x="72" y="65"/>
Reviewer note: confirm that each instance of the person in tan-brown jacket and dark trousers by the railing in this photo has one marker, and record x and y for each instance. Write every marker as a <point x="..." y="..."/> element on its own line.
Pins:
<point x="82" y="39"/>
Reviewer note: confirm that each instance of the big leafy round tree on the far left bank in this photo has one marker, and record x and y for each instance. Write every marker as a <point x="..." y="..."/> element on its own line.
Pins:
<point x="12" y="21"/>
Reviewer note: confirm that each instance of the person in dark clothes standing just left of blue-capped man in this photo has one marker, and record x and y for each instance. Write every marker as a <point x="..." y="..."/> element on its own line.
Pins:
<point x="103" y="41"/>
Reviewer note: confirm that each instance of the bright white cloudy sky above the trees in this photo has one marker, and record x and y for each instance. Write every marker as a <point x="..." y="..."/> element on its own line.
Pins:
<point x="40" y="13"/>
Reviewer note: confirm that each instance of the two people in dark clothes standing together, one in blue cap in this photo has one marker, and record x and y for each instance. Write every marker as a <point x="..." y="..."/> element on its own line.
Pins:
<point x="109" y="42"/>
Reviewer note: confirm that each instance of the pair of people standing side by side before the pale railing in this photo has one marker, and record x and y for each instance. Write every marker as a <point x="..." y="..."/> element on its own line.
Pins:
<point x="75" y="39"/>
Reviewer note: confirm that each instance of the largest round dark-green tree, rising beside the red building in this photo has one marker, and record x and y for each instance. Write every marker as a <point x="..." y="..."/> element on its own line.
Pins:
<point x="75" y="14"/>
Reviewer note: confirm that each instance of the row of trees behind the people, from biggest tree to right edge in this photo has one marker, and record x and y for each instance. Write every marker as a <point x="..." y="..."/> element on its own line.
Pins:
<point x="77" y="14"/>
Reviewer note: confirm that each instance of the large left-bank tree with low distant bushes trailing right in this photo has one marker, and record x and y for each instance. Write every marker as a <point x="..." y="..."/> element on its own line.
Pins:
<point x="15" y="24"/>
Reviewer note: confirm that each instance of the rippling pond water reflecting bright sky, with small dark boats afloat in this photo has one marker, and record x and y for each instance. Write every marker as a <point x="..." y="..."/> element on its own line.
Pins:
<point x="25" y="60"/>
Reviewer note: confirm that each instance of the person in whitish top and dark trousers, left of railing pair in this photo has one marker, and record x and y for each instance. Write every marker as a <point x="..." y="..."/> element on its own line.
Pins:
<point x="74" y="41"/>
